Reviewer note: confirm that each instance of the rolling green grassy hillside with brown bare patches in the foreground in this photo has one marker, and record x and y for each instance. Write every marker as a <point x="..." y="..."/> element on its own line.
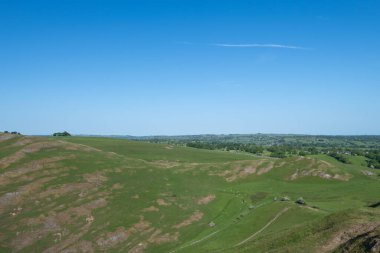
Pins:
<point x="87" y="194"/>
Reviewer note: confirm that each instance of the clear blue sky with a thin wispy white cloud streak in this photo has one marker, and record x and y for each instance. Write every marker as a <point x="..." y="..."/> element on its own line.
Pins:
<point x="140" y="67"/>
